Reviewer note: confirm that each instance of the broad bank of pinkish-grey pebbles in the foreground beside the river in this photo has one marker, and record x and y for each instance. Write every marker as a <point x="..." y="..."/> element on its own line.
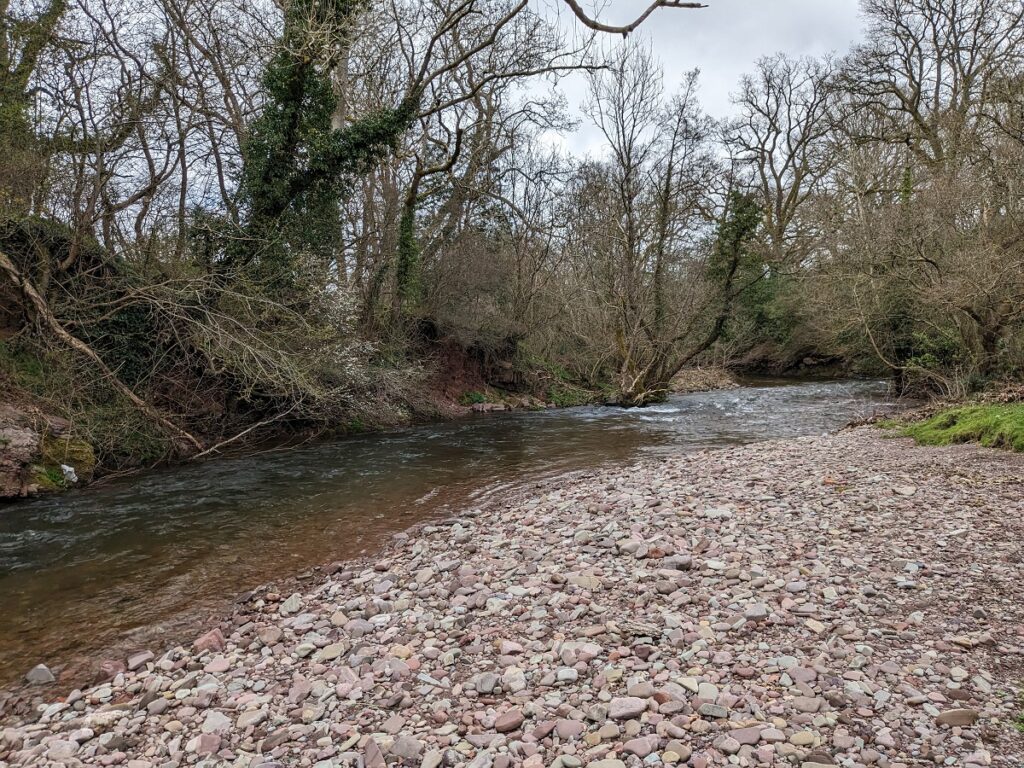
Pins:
<point x="844" y="601"/>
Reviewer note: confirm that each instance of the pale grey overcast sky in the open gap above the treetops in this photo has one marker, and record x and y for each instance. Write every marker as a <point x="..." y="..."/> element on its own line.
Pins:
<point x="723" y="41"/>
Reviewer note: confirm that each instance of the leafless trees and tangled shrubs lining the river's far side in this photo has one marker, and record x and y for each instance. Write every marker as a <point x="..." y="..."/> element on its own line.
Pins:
<point x="229" y="223"/>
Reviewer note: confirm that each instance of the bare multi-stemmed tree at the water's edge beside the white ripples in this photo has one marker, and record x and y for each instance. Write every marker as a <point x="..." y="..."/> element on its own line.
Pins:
<point x="645" y="223"/>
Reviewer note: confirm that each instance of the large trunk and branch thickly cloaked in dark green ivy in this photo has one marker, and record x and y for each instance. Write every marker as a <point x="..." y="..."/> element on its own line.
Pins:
<point x="298" y="162"/>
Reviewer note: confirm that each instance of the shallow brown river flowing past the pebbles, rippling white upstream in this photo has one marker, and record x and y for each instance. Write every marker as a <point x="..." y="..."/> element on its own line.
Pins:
<point x="112" y="567"/>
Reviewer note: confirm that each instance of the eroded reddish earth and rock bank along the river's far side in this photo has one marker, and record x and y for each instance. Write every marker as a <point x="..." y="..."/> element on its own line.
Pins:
<point x="42" y="452"/>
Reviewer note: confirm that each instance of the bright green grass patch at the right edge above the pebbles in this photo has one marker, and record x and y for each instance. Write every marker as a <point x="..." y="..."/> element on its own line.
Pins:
<point x="994" y="426"/>
